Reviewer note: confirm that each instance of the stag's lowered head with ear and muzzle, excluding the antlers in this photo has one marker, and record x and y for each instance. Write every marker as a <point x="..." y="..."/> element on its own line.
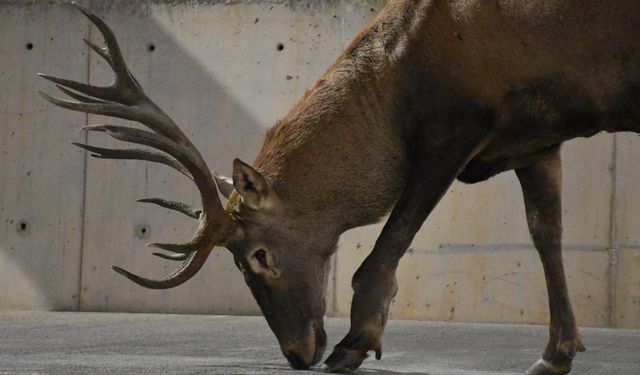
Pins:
<point x="284" y="259"/>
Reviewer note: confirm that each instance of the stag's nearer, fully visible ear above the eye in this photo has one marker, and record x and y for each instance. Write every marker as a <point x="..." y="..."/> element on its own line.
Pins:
<point x="250" y="184"/>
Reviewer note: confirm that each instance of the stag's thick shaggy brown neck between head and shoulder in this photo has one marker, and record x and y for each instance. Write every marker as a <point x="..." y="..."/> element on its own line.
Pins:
<point x="342" y="151"/>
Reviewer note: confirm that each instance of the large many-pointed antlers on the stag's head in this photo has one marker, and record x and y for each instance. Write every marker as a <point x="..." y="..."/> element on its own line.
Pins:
<point x="125" y="99"/>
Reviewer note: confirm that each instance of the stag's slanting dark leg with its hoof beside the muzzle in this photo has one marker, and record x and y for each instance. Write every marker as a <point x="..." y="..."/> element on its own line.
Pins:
<point x="433" y="169"/>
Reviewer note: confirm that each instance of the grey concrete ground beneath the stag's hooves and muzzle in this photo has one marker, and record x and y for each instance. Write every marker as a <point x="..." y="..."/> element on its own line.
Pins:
<point x="98" y="343"/>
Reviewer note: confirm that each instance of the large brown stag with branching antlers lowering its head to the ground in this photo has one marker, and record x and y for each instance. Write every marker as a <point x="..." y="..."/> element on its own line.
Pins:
<point x="430" y="92"/>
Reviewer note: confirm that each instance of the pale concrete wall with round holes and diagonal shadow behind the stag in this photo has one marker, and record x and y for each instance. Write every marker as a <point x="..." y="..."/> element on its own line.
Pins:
<point x="214" y="66"/>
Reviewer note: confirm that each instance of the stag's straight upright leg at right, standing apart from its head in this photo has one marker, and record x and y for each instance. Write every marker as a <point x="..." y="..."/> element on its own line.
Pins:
<point x="541" y="187"/>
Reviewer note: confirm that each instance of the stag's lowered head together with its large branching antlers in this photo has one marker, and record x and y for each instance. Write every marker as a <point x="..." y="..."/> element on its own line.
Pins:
<point x="281" y="250"/>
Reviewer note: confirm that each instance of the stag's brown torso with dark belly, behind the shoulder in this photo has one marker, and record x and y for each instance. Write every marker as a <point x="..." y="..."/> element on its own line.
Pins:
<point x="551" y="70"/>
